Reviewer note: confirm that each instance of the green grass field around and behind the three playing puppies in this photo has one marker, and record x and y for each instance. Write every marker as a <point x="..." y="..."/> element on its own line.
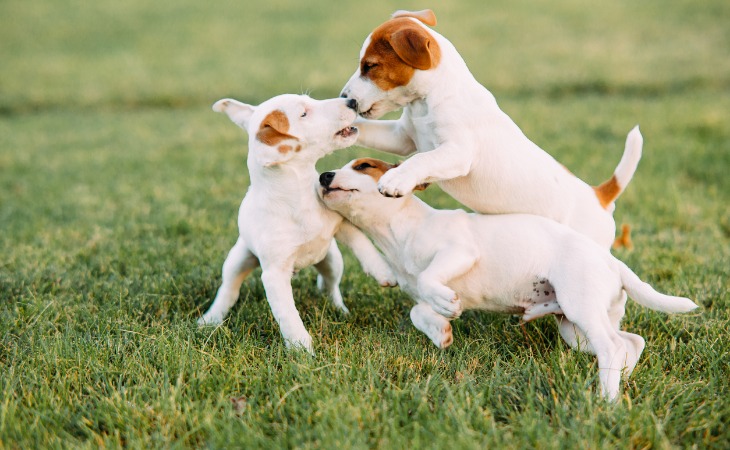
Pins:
<point x="119" y="191"/>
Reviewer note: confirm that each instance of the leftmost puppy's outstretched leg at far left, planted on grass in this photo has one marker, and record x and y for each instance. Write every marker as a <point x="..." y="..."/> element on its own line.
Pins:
<point x="238" y="264"/>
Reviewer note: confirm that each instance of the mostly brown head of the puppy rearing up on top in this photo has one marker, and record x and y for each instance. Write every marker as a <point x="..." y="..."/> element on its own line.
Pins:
<point x="393" y="56"/>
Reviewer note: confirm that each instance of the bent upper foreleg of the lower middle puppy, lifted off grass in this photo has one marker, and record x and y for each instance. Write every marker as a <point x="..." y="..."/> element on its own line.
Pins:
<point x="446" y="265"/>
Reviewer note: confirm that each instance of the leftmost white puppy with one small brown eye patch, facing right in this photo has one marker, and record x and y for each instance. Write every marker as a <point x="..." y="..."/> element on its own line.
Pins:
<point x="283" y="225"/>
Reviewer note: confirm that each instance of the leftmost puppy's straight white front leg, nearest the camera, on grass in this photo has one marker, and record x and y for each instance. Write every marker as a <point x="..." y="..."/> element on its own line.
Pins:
<point x="277" y="283"/>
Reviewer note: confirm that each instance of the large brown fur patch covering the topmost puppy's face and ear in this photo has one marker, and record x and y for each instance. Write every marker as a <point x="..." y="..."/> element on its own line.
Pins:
<point x="397" y="48"/>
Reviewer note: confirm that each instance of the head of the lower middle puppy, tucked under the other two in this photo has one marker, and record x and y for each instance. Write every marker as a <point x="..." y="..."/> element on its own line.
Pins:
<point x="353" y="190"/>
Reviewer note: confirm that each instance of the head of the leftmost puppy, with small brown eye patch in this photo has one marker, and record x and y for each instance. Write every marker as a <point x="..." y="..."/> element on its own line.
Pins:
<point x="289" y="126"/>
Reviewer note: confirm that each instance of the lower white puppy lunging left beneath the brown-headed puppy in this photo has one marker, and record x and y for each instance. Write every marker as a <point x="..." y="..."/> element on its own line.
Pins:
<point x="509" y="263"/>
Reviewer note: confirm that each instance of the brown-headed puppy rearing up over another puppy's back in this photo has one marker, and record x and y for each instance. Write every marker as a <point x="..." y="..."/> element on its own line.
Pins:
<point x="462" y="139"/>
